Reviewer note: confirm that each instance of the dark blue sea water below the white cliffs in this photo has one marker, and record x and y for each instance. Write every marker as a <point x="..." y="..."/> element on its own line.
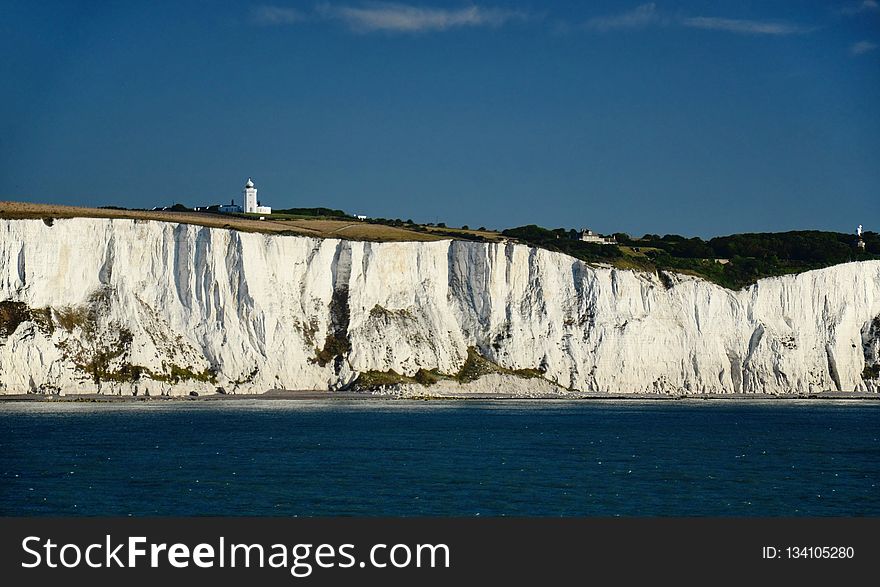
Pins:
<point x="459" y="458"/>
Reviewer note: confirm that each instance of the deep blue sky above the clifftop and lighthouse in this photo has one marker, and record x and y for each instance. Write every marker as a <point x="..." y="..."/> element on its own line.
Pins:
<point x="697" y="118"/>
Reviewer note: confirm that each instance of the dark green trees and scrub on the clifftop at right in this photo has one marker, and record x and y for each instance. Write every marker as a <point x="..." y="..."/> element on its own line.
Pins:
<point x="733" y="261"/>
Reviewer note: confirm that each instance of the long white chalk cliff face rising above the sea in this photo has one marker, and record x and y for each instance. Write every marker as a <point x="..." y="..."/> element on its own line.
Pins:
<point x="125" y="306"/>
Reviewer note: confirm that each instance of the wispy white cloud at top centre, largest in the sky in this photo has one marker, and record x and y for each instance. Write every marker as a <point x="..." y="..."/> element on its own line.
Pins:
<point x="404" y="18"/>
